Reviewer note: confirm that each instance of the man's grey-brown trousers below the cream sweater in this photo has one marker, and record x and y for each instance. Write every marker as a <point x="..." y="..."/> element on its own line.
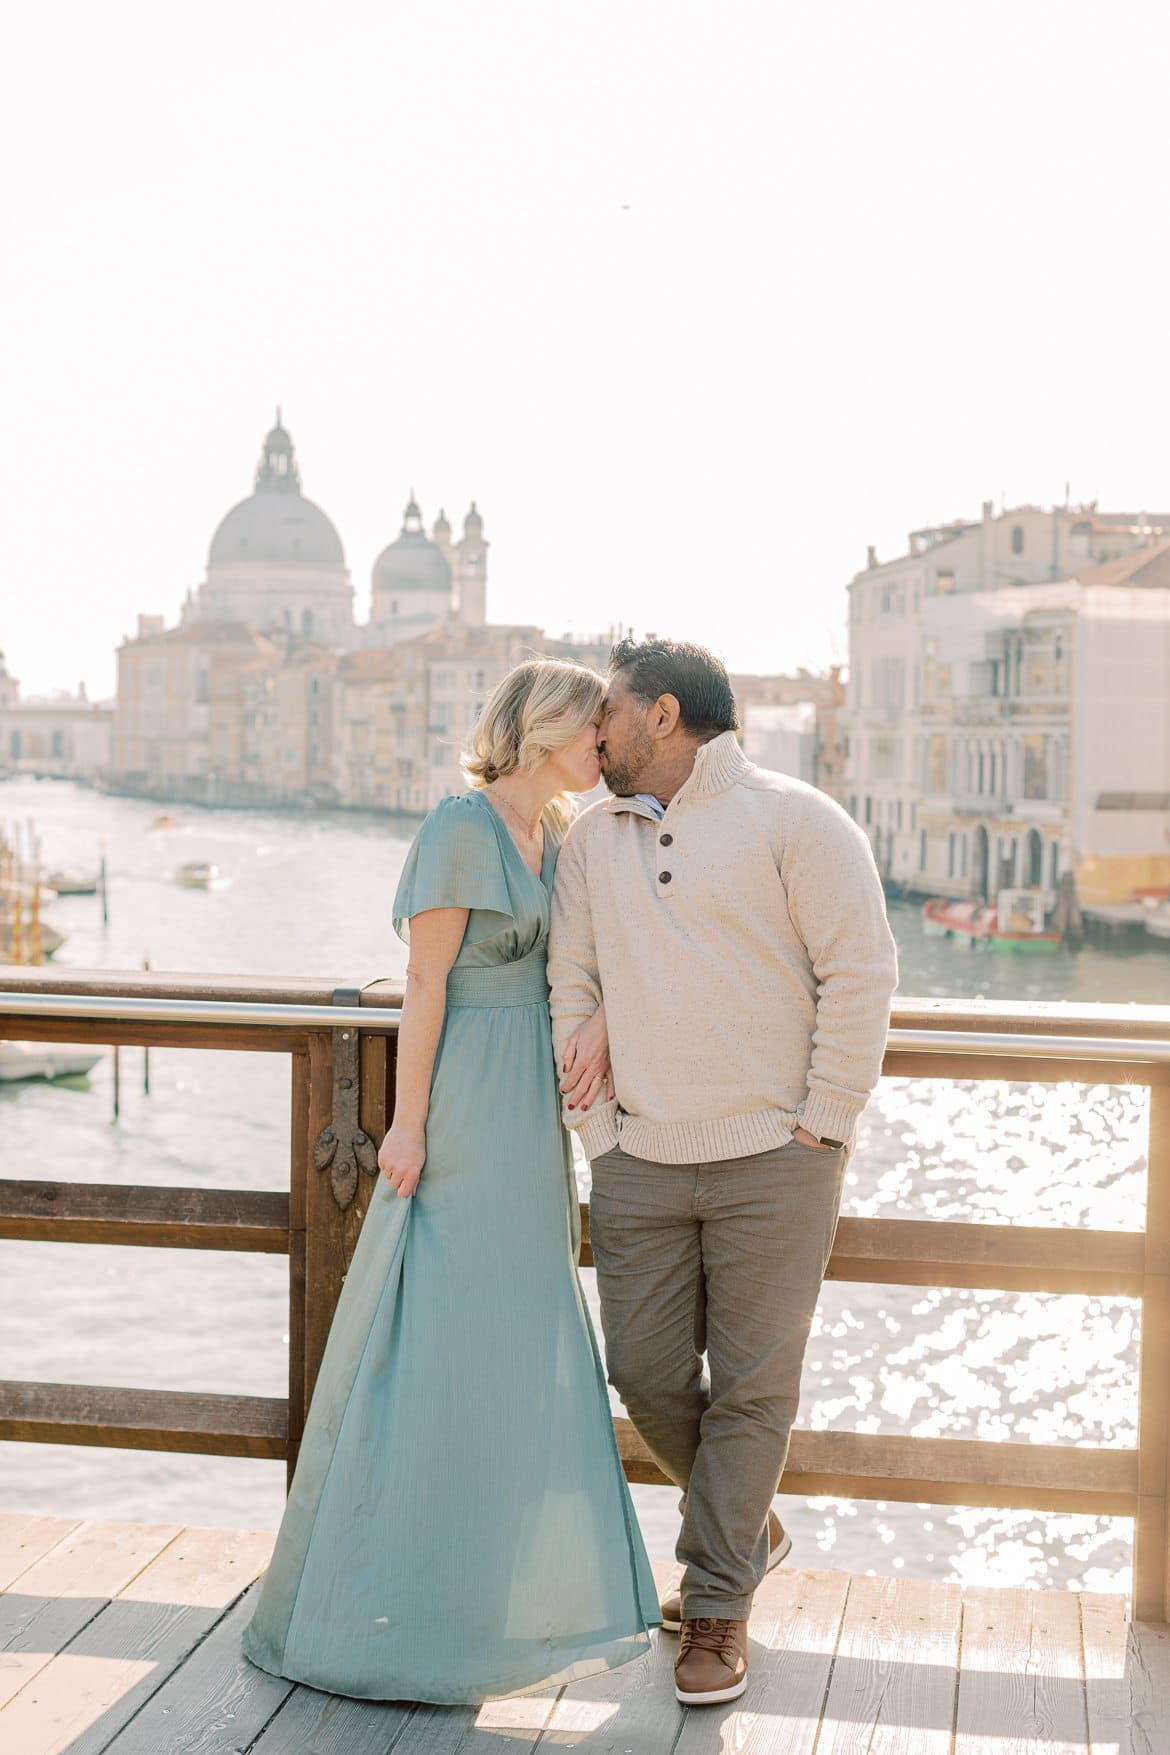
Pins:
<point x="722" y="1261"/>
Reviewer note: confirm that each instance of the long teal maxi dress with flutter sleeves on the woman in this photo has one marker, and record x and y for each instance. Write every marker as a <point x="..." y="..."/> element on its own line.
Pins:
<point x="460" y="1526"/>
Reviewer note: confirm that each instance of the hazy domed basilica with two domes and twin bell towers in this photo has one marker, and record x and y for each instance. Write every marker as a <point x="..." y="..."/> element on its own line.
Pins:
<point x="276" y="562"/>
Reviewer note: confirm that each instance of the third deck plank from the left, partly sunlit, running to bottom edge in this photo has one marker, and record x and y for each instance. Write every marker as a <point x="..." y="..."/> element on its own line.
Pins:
<point x="125" y="1654"/>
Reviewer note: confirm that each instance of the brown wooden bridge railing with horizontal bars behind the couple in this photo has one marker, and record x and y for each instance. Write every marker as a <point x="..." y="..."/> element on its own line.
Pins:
<point x="929" y="1040"/>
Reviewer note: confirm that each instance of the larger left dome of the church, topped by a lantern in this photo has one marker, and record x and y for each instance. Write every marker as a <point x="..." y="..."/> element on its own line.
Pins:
<point x="276" y="524"/>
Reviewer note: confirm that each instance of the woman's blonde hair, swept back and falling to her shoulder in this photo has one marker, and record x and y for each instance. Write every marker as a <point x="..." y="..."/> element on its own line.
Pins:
<point x="539" y="708"/>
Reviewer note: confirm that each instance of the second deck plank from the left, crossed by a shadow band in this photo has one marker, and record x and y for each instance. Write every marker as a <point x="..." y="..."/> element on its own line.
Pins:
<point x="62" y="1594"/>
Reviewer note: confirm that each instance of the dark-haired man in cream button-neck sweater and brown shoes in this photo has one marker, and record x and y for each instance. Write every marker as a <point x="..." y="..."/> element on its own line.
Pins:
<point x="734" y="924"/>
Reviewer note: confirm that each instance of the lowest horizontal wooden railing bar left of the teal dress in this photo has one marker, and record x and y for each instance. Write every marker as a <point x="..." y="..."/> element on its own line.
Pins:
<point x="82" y="1414"/>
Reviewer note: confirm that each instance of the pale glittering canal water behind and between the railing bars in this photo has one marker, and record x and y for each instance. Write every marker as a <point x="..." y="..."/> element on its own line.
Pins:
<point x="311" y="896"/>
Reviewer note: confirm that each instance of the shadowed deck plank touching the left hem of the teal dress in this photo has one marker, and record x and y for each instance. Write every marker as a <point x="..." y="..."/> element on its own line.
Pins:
<point x="215" y="1705"/>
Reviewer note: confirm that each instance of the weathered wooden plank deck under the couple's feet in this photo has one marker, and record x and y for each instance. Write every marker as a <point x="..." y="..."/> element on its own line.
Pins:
<point x="125" y="1638"/>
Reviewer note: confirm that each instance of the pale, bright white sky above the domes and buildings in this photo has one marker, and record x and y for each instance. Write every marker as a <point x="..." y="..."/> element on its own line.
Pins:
<point x="696" y="299"/>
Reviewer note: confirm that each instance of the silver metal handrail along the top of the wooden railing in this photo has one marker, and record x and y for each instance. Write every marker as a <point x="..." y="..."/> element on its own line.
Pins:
<point x="292" y="1017"/>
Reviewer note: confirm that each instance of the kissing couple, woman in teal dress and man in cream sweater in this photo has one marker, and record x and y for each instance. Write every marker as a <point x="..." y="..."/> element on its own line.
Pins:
<point x="720" y="970"/>
